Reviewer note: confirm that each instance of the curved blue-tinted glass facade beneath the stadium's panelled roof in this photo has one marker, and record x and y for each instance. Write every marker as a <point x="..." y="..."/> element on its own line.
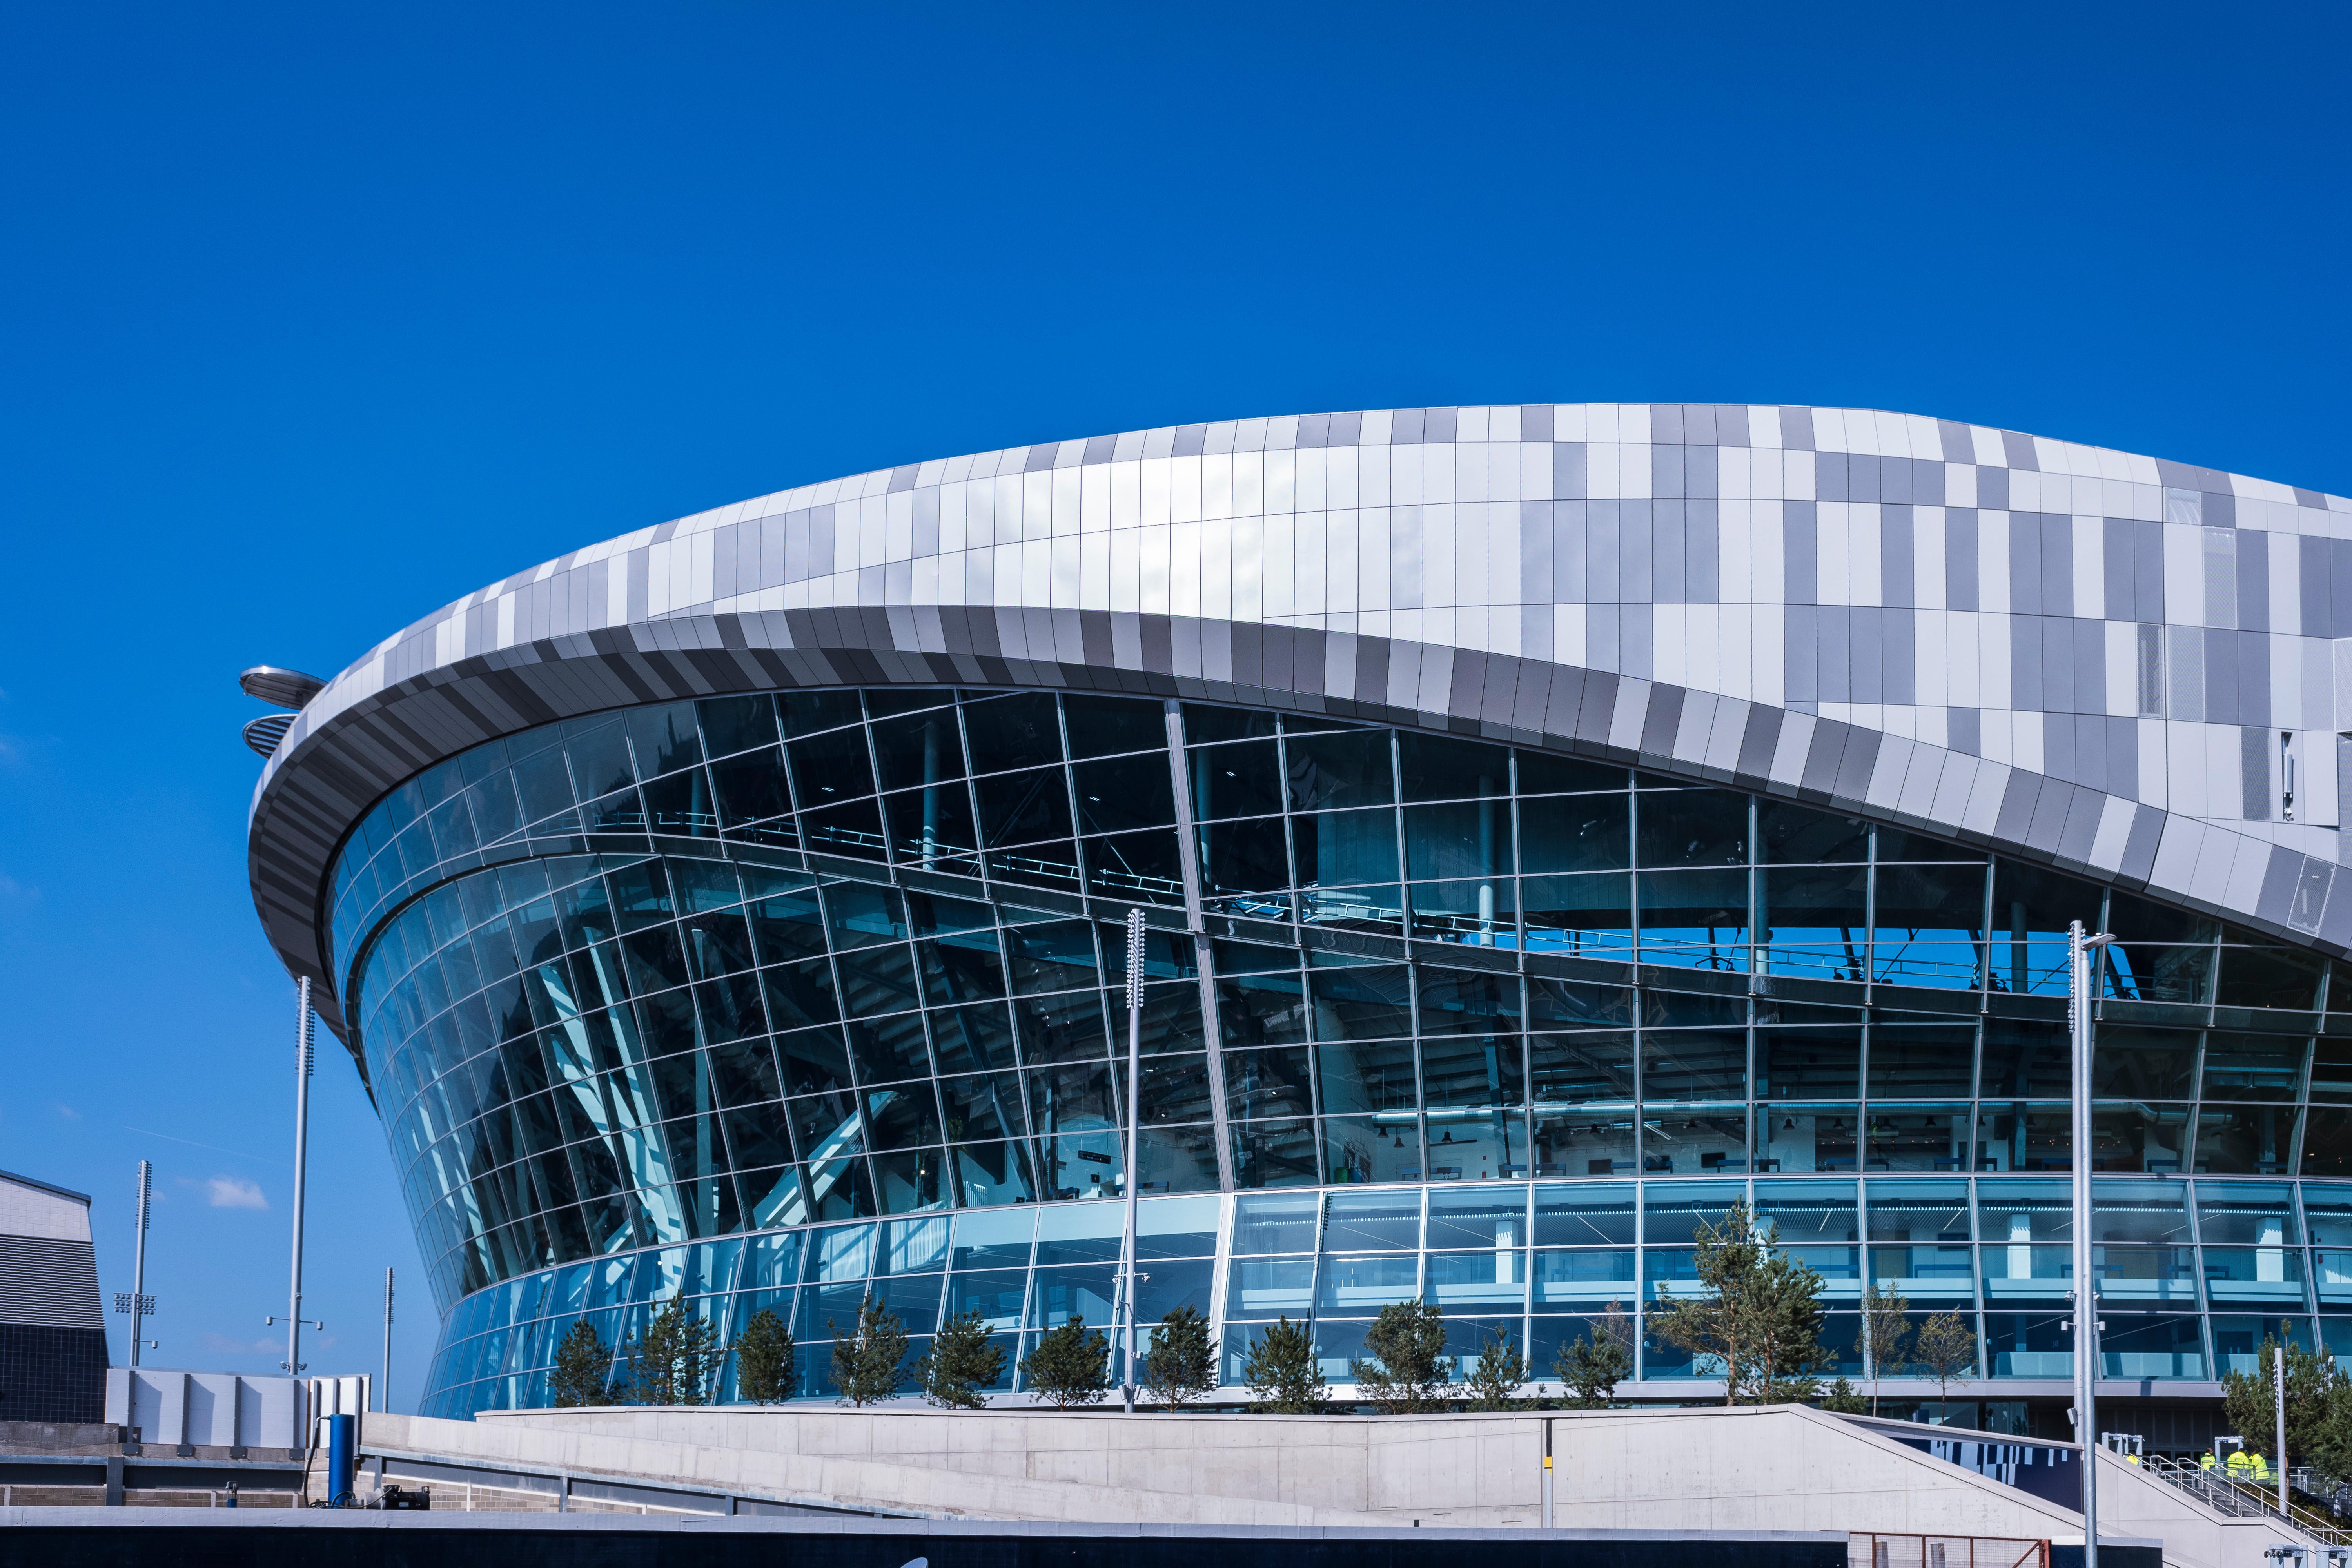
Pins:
<point x="780" y="1000"/>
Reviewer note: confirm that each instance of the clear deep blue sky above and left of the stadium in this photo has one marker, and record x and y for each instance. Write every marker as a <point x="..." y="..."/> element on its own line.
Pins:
<point x="316" y="319"/>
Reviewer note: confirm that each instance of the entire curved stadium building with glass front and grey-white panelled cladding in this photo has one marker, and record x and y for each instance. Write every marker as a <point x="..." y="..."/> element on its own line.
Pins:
<point x="1553" y="824"/>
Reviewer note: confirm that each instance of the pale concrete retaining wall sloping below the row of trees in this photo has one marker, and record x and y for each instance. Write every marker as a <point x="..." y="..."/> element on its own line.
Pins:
<point x="1775" y="1468"/>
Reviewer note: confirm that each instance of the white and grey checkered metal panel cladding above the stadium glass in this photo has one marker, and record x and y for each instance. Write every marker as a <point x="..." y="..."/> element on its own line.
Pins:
<point x="2118" y="664"/>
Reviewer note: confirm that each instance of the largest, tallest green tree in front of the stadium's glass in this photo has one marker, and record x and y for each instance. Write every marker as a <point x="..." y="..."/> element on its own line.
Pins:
<point x="1760" y="1315"/>
